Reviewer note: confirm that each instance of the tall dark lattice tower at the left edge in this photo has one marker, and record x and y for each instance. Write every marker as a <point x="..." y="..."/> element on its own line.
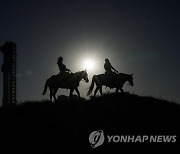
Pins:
<point x="9" y="73"/>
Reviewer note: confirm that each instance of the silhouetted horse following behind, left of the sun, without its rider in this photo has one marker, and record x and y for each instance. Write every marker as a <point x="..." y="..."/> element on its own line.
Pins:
<point x="69" y="81"/>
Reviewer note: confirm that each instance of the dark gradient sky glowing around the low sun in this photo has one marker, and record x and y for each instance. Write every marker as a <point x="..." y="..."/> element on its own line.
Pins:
<point x="140" y="37"/>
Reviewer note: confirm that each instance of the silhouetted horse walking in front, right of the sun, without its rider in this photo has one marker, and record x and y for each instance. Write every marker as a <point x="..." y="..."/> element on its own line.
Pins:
<point x="113" y="81"/>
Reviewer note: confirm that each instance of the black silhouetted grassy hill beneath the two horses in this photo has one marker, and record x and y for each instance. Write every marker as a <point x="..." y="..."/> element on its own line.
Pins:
<point x="50" y="127"/>
